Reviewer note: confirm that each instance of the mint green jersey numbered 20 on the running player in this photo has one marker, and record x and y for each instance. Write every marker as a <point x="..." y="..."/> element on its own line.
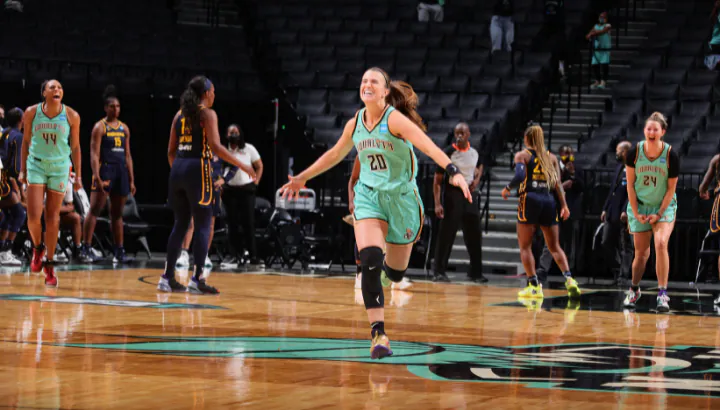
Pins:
<point x="387" y="163"/>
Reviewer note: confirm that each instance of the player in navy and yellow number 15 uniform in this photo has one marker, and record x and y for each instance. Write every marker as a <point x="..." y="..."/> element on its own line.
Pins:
<point x="113" y="175"/>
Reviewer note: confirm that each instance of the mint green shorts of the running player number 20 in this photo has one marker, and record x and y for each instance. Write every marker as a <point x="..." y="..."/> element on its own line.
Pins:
<point x="403" y="211"/>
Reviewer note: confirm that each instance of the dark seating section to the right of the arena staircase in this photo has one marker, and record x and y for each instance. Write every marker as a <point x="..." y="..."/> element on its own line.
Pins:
<point x="667" y="76"/>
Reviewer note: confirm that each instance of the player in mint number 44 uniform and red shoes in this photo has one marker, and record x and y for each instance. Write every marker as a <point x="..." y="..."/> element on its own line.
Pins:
<point x="51" y="136"/>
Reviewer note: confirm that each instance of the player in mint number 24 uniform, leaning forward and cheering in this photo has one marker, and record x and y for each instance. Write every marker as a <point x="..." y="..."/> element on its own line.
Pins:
<point x="652" y="172"/>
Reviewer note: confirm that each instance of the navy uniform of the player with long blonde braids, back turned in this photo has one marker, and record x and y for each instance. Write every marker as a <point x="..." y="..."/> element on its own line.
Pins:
<point x="536" y="205"/>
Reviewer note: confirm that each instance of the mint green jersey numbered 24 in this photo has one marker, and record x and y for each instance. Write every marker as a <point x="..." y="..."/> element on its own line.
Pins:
<point x="651" y="177"/>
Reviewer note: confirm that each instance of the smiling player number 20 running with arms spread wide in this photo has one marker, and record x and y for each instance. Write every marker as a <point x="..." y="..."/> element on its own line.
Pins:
<point x="388" y="210"/>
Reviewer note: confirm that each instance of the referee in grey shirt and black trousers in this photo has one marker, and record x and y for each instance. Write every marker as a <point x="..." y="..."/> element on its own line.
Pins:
<point x="454" y="211"/>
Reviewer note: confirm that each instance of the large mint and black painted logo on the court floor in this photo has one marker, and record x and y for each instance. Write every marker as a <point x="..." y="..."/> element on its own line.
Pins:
<point x="604" y="367"/>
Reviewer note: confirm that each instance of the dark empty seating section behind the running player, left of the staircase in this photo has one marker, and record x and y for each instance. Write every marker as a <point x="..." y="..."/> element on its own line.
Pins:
<point x="322" y="48"/>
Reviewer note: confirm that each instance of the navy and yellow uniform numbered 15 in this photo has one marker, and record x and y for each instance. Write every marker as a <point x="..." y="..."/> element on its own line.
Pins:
<point x="113" y="165"/>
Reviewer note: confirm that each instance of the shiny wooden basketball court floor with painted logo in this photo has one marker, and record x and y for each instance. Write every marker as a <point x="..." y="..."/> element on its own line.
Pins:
<point x="107" y="340"/>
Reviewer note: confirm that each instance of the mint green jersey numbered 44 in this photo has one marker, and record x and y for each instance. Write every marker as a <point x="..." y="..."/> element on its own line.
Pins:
<point x="50" y="136"/>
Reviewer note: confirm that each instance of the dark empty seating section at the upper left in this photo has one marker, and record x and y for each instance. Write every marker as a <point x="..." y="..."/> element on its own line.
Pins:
<point x="134" y="44"/>
